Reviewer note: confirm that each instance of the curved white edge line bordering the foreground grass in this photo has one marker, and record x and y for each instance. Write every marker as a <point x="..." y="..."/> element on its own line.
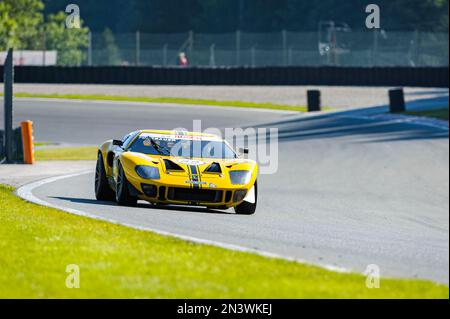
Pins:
<point x="26" y="192"/>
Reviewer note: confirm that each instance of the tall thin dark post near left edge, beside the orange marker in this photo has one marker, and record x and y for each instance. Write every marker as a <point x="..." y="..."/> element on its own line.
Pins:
<point x="8" y="76"/>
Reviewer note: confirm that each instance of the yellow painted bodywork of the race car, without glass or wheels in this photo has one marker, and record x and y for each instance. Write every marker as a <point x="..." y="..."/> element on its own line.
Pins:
<point x="170" y="179"/>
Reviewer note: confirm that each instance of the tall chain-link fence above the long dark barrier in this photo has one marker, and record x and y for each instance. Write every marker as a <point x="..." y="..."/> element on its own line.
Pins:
<point x="359" y="49"/>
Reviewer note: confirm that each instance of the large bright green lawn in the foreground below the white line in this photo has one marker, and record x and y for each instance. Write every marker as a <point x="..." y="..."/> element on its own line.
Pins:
<point x="37" y="243"/>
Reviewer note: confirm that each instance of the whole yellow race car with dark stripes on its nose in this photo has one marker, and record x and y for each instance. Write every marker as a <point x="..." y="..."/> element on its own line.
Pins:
<point x="179" y="168"/>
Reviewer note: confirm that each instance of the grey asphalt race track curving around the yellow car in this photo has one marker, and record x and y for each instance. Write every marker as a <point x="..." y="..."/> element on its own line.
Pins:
<point x="351" y="189"/>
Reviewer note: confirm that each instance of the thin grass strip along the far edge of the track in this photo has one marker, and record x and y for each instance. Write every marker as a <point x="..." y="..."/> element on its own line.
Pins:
<point x="167" y="100"/>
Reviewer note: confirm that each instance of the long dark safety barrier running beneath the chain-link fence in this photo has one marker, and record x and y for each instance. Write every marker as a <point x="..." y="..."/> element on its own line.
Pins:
<point x="349" y="76"/>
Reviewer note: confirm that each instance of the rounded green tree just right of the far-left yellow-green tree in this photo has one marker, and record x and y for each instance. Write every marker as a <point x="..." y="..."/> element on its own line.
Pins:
<point x="70" y="43"/>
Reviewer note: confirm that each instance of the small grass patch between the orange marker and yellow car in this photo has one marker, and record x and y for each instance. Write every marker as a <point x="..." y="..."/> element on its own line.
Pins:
<point x="66" y="154"/>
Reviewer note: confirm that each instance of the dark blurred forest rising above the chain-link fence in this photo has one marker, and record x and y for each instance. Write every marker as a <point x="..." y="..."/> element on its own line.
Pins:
<point x="213" y="16"/>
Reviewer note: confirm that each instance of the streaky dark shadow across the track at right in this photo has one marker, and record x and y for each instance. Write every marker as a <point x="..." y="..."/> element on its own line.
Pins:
<point x="369" y="125"/>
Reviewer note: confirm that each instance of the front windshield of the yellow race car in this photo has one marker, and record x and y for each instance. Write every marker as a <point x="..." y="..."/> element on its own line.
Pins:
<point x="183" y="147"/>
